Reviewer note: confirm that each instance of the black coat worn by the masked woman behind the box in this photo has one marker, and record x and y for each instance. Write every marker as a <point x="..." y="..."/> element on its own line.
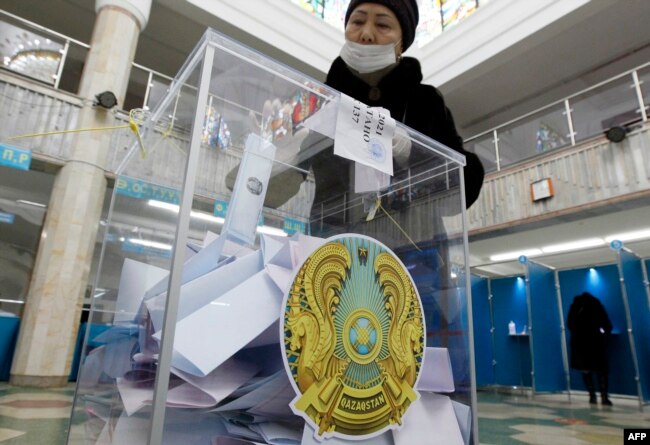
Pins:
<point x="418" y="106"/>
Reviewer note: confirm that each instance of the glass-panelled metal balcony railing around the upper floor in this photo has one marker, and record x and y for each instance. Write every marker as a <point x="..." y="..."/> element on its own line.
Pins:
<point x="621" y="101"/>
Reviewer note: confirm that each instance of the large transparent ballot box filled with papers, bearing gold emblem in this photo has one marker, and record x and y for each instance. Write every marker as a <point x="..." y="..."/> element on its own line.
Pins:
<point x="256" y="287"/>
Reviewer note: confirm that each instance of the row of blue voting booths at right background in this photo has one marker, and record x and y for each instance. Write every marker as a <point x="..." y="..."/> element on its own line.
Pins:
<point x="540" y="299"/>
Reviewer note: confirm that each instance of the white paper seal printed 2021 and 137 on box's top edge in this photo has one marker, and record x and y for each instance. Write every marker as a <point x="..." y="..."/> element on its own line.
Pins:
<point x="365" y="134"/>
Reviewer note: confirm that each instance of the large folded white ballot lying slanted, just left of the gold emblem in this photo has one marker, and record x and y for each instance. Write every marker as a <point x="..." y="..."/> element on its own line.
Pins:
<point x="212" y="334"/>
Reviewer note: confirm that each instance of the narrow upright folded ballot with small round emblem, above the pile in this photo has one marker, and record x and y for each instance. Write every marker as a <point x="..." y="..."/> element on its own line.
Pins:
<point x="250" y="190"/>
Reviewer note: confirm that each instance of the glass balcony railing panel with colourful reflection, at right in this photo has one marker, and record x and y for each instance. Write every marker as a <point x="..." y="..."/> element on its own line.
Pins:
<point x="539" y="133"/>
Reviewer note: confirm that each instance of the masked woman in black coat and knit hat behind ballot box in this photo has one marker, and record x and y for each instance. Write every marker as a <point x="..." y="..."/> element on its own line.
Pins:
<point x="371" y="69"/>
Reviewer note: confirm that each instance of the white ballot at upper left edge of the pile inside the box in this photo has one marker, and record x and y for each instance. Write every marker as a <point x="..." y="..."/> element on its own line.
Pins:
<point x="136" y="278"/>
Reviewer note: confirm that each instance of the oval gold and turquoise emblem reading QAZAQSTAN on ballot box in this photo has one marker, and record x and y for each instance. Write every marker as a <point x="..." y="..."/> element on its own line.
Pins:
<point x="353" y="338"/>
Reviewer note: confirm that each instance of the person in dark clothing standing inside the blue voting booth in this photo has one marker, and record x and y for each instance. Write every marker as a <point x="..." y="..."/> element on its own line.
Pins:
<point x="590" y="326"/>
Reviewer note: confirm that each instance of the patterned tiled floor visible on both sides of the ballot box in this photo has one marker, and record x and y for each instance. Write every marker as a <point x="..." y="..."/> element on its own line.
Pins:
<point x="35" y="417"/>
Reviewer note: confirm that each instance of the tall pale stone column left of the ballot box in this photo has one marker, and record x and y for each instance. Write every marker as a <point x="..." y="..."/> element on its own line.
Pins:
<point x="52" y="311"/>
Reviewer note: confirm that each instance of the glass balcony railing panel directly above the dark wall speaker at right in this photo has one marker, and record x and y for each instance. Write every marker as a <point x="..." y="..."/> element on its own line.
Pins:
<point x="598" y="110"/>
